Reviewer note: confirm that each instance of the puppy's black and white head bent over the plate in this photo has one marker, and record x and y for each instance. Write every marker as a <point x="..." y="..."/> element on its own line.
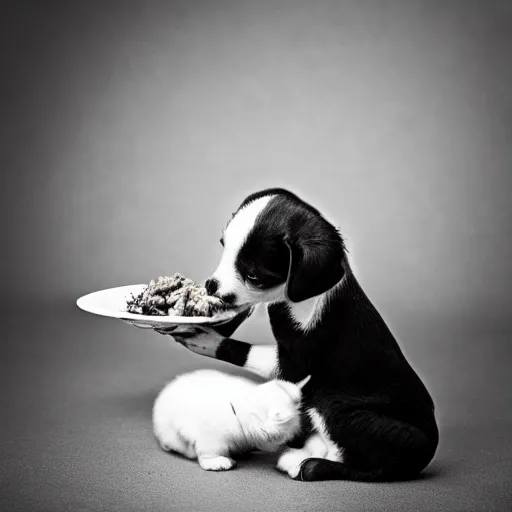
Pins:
<point x="277" y="247"/>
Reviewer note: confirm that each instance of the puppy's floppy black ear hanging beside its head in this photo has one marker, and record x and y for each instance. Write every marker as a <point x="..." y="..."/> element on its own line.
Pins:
<point x="315" y="267"/>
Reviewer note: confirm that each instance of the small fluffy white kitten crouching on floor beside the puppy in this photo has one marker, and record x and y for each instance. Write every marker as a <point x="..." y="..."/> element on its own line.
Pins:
<point x="209" y="415"/>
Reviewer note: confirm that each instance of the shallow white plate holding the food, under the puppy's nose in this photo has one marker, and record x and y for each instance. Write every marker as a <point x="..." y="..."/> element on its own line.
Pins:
<point x="112" y="303"/>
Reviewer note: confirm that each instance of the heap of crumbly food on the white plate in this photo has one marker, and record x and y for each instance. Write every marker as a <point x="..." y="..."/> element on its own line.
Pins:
<point x="175" y="296"/>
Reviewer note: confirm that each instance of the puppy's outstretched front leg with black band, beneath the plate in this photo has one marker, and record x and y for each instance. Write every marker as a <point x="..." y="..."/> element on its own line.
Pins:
<point x="205" y="341"/>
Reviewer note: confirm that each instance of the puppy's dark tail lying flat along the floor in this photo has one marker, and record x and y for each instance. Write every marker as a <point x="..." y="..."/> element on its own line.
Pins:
<point x="323" y="469"/>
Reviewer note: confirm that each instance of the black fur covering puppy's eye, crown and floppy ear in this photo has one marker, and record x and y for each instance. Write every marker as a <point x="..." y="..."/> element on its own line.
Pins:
<point x="292" y="242"/>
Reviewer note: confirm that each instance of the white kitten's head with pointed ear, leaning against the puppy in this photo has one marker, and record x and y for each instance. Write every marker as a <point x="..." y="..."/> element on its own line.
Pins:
<point x="274" y="409"/>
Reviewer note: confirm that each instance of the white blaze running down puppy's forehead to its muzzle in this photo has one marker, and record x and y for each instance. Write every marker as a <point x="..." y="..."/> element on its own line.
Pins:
<point x="235" y="235"/>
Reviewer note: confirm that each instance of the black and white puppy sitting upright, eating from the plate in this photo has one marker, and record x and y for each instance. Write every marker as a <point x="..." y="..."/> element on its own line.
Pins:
<point x="366" y="414"/>
